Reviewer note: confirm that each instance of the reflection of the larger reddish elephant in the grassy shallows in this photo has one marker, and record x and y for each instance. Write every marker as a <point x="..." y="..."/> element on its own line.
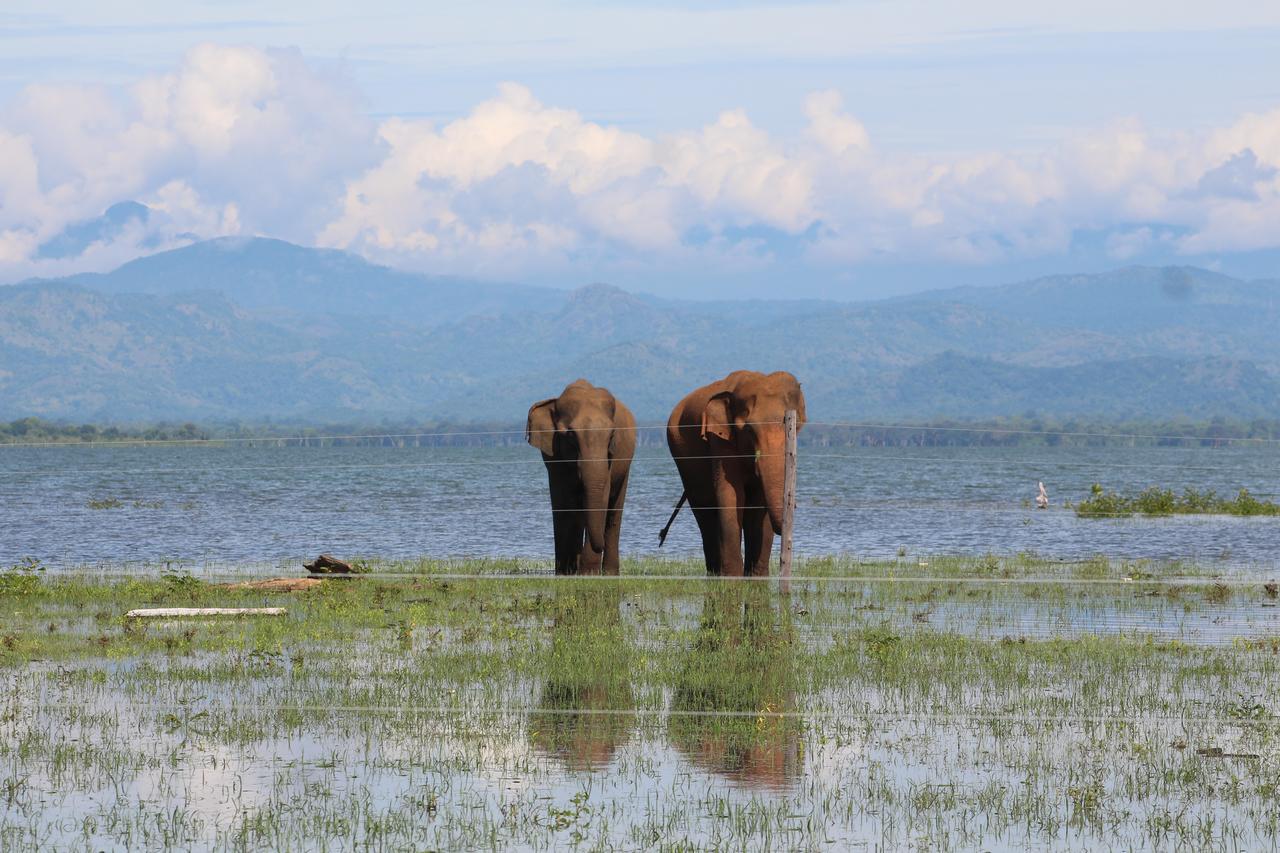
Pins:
<point x="742" y="664"/>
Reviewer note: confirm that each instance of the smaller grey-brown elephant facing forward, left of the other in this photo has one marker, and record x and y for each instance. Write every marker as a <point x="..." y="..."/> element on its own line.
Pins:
<point x="588" y="439"/>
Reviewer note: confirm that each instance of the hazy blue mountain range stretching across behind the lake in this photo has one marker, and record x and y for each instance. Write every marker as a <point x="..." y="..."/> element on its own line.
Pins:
<point x="255" y="329"/>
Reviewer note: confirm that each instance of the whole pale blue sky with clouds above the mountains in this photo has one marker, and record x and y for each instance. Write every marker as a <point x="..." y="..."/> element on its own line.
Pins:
<point x="844" y="150"/>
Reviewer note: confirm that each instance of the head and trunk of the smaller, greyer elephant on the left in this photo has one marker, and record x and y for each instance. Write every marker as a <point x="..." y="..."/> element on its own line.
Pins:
<point x="578" y="430"/>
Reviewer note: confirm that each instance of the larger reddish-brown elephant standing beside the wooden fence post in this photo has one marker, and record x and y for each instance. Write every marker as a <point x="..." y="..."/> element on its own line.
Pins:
<point x="728" y="441"/>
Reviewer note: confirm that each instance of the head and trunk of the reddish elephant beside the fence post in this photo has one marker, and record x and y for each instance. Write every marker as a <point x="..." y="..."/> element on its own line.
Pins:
<point x="746" y="421"/>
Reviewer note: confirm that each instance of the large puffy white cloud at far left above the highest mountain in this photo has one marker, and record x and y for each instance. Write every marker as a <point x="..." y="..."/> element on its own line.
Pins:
<point x="232" y="139"/>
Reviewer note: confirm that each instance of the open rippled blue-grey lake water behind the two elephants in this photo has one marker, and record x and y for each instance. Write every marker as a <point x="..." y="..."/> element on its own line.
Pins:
<point x="223" y="505"/>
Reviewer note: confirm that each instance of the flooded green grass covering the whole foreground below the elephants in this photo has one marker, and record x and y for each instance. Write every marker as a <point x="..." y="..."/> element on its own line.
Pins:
<point x="668" y="711"/>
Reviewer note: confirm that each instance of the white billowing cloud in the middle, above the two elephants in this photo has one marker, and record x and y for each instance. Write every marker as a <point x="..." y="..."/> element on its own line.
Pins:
<point x="555" y="183"/>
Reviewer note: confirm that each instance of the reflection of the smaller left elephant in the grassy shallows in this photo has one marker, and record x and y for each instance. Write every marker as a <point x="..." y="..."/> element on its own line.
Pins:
<point x="584" y="714"/>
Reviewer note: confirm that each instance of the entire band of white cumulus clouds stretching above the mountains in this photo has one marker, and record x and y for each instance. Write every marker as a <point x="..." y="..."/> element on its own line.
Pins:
<point x="243" y="142"/>
